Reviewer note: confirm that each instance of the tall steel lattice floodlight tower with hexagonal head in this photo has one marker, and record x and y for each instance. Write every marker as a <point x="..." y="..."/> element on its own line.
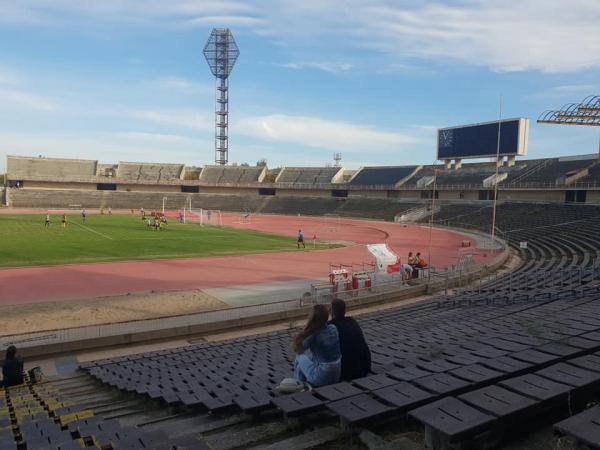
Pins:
<point x="221" y="52"/>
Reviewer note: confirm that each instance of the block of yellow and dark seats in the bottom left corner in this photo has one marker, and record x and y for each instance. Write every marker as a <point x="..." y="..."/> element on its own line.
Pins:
<point x="40" y="416"/>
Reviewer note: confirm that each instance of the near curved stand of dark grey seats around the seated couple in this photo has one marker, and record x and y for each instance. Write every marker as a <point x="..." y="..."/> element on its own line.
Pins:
<point x="486" y="364"/>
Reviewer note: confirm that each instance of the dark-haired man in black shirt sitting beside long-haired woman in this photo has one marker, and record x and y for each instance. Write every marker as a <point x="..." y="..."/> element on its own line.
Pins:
<point x="356" y="356"/>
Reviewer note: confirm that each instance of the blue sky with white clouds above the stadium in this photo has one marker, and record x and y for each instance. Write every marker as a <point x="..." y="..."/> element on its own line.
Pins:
<point x="125" y="80"/>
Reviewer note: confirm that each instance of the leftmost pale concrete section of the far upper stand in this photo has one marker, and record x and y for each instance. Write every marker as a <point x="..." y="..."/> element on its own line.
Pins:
<point x="25" y="168"/>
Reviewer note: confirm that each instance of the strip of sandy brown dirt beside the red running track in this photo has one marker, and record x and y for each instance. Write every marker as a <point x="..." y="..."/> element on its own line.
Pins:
<point x="47" y="316"/>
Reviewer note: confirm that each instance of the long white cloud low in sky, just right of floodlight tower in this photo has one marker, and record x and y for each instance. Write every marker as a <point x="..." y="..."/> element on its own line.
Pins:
<point x="322" y="133"/>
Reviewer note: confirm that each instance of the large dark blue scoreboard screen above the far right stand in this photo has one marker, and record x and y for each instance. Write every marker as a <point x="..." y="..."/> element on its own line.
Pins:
<point x="480" y="140"/>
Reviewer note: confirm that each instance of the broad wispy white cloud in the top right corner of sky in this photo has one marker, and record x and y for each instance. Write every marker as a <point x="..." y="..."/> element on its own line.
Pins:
<point x="515" y="35"/>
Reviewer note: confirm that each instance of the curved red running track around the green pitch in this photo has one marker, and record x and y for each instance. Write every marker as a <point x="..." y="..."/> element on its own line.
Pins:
<point x="39" y="284"/>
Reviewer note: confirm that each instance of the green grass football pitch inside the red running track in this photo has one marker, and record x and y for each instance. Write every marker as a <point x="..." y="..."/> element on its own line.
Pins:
<point x="24" y="241"/>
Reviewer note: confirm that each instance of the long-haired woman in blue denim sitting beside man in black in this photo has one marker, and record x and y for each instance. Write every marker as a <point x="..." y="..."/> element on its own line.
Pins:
<point x="323" y="366"/>
